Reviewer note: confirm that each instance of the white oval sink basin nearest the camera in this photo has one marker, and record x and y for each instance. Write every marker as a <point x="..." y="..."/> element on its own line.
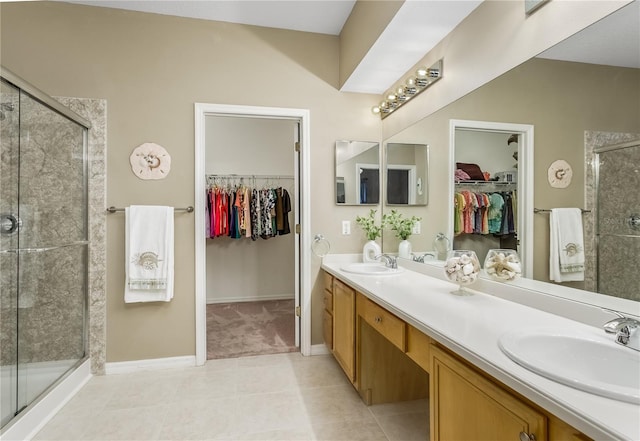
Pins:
<point x="586" y="362"/>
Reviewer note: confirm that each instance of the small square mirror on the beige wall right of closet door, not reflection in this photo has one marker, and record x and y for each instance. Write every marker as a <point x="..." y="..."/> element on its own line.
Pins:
<point x="357" y="173"/>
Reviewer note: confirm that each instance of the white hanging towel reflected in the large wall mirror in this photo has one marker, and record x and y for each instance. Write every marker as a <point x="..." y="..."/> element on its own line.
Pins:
<point x="566" y="258"/>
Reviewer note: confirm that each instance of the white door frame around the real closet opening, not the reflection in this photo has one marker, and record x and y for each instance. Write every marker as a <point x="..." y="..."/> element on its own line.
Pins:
<point x="303" y="115"/>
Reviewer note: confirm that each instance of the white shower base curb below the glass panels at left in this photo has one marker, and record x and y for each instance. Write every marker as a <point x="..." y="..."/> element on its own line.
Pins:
<point x="33" y="419"/>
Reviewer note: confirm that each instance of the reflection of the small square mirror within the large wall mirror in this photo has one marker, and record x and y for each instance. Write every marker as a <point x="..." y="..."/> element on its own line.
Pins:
<point x="407" y="174"/>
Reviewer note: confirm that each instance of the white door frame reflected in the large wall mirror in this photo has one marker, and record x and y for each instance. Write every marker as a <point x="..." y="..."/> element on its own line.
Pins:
<point x="525" y="180"/>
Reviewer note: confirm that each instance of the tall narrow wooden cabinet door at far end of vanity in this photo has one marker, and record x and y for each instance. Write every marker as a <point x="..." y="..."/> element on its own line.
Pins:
<point x="344" y="309"/>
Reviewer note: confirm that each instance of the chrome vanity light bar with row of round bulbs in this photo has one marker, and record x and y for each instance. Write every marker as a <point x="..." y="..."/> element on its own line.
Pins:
<point x="423" y="79"/>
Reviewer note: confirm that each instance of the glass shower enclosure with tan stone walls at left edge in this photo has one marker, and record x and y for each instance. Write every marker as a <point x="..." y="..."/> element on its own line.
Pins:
<point x="43" y="244"/>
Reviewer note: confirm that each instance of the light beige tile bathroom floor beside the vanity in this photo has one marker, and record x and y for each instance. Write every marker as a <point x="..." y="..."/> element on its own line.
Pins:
<point x="266" y="397"/>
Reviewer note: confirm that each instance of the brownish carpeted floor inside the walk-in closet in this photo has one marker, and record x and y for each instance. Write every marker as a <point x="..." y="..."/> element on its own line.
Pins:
<point x="250" y="328"/>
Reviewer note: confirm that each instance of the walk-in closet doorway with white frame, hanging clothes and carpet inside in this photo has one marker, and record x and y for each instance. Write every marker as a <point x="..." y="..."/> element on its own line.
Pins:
<point x="252" y="284"/>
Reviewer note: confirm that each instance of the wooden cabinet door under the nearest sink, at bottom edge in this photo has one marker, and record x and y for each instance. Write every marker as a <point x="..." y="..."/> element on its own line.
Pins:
<point x="466" y="406"/>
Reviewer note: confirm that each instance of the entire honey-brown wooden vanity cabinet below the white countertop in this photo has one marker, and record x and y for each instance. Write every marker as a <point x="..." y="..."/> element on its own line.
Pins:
<point x="387" y="360"/>
